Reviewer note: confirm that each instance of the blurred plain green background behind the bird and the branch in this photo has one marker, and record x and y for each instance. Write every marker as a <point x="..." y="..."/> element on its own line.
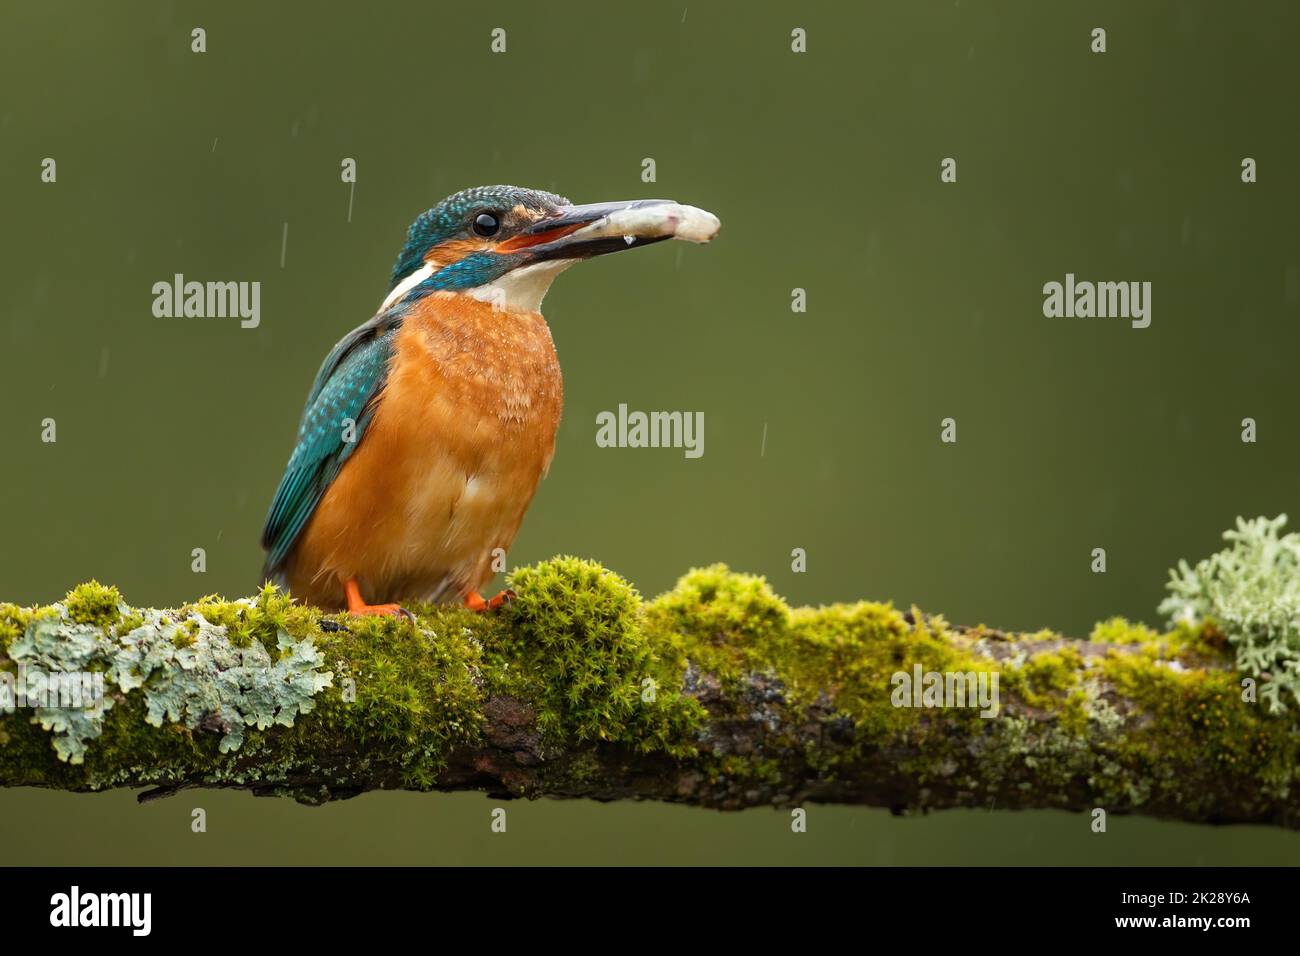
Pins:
<point x="925" y="301"/>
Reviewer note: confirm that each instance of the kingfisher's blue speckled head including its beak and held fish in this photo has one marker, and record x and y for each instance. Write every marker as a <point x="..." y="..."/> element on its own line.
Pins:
<point x="506" y="244"/>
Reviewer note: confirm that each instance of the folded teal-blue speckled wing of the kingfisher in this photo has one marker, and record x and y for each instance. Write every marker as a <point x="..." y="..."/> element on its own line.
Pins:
<point x="348" y="387"/>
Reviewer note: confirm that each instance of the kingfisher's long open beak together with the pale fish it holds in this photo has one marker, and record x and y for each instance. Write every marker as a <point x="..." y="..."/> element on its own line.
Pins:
<point x="582" y="232"/>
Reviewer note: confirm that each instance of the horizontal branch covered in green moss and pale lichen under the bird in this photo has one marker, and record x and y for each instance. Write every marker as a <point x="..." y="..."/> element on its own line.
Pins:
<point x="716" y="694"/>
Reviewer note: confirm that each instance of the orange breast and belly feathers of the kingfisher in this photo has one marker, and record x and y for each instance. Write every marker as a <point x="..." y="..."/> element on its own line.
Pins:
<point x="463" y="432"/>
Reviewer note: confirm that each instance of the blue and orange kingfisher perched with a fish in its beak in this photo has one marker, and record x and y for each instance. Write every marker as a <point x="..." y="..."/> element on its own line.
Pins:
<point x="430" y="426"/>
